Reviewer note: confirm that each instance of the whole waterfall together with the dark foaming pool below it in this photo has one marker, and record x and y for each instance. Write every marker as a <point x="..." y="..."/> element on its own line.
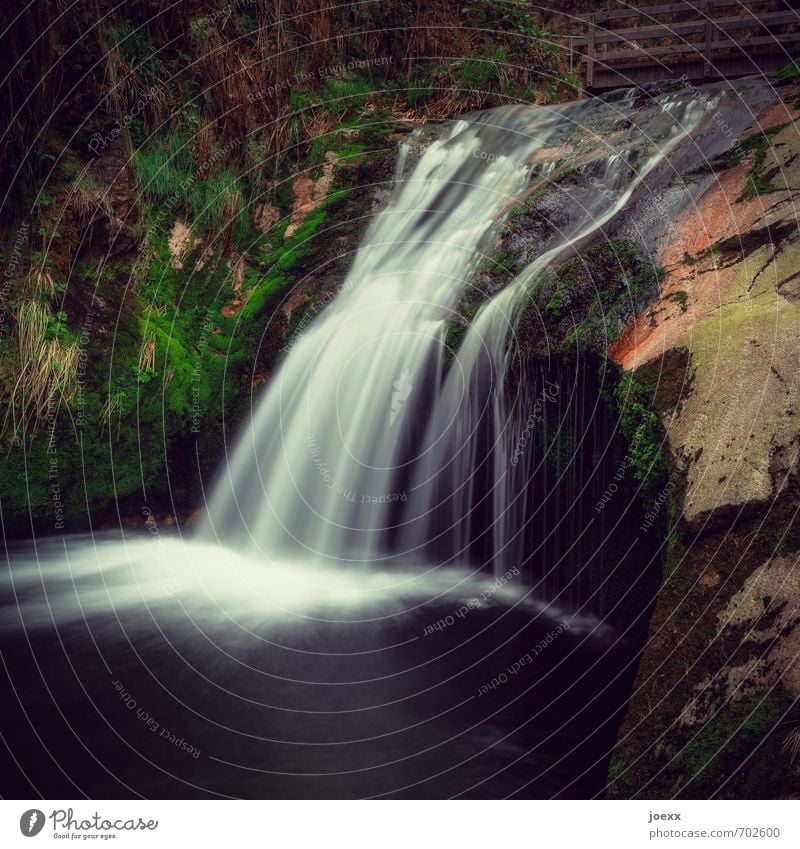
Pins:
<point x="334" y="629"/>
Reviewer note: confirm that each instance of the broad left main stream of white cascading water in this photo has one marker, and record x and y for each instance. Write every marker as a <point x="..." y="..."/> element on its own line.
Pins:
<point x="329" y="441"/>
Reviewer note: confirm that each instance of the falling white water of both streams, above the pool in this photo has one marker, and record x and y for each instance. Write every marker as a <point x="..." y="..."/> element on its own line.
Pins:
<point x="365" y="447"/>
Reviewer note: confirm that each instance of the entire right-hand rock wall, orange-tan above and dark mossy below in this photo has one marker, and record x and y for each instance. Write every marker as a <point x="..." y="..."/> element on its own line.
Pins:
<point x="714" y="701"/>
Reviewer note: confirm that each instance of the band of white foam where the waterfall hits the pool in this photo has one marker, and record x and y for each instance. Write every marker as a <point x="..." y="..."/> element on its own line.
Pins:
<point x="204" y="582"/>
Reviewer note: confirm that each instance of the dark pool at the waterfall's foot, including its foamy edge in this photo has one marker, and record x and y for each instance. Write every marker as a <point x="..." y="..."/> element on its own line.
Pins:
<point x="121" y="685"/>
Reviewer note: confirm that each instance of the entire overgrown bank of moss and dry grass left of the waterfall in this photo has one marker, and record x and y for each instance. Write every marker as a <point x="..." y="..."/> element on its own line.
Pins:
<point x="122" y="351"/>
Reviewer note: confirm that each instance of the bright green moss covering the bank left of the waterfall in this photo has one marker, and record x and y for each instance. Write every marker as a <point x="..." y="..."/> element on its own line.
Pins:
<point x="201" y="361"/>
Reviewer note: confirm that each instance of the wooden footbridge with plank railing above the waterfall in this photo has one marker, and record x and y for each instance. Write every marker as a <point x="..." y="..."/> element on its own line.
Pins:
<point x="704" y="39"/>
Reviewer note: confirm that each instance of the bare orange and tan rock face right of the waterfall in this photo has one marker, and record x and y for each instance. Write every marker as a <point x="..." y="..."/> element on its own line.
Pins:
<point x="730" y="301"/>
